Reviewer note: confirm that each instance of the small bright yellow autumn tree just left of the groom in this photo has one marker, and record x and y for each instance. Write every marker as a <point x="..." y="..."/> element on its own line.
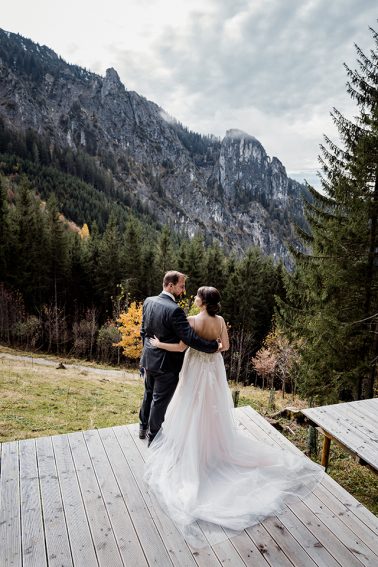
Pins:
<point x="130" y="323"/>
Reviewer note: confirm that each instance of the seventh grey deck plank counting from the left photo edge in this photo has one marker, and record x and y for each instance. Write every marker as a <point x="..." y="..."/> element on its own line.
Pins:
<point x="149" y="536"/>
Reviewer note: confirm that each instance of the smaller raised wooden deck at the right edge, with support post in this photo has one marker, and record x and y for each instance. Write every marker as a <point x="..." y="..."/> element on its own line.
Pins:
<point x="354" y="425"/>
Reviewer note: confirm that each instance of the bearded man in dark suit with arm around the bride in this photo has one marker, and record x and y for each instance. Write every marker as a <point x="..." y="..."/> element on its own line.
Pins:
<point x="165" y="319"/>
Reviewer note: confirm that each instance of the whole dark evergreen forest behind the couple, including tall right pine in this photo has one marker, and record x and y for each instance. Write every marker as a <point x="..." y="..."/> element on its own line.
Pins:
<point x="75" y="252"/>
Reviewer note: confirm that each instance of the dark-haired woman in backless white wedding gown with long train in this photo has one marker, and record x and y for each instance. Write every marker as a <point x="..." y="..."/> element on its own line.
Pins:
<point x="201" y="466"/>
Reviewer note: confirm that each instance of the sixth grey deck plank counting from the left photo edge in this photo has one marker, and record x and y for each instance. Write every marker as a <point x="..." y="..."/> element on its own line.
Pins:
<point x="124" y="531"/>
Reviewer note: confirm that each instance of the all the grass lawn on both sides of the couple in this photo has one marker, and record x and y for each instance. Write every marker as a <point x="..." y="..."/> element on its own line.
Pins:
<point x="38" y="400"/>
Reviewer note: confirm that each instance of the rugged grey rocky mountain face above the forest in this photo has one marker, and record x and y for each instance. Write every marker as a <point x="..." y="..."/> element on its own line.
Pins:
<point x="230" y="190"/>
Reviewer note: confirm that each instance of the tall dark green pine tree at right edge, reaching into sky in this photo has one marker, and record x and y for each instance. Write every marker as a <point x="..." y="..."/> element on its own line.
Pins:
<point x="334" y="293"/>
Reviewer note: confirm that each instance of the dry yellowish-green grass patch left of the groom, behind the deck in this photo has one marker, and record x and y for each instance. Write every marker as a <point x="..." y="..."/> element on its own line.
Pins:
<point x="37" y="400"/>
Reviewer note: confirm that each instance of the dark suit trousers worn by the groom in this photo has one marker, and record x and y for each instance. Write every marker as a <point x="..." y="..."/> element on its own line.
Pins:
<point x="159" y="388"/>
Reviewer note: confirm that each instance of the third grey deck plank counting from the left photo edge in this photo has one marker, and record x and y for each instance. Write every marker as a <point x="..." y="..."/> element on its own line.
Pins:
<point x="57" y="543"/>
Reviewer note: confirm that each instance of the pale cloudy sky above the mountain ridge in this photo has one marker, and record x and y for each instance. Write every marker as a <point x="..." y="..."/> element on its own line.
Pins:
<point x="273" y="68"/>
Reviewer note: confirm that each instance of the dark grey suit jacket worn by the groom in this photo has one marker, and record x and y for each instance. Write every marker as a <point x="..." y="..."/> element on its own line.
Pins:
<point x="165" y="319"/>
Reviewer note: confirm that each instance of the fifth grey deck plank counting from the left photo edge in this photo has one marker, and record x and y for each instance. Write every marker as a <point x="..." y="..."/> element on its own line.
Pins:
<point x="102" y="533"/>
